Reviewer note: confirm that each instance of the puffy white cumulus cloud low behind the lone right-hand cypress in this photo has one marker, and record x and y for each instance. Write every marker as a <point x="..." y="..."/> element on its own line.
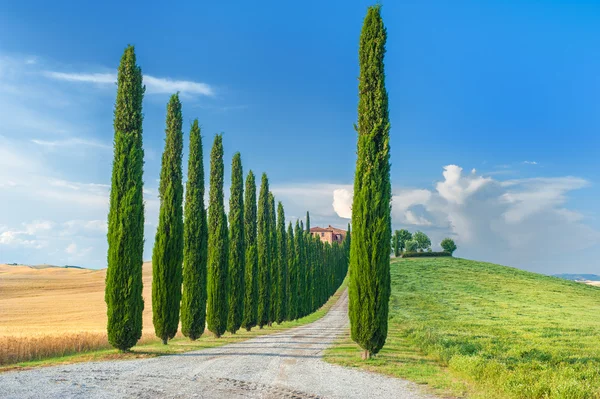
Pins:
<point x="522" y="222"/>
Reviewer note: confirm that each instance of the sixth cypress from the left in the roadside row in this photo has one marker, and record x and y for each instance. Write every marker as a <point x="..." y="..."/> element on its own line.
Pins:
<point x="251" y="277"/>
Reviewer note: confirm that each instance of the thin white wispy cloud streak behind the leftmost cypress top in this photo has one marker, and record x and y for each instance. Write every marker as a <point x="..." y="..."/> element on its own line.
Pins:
<point x="153" y="84"/>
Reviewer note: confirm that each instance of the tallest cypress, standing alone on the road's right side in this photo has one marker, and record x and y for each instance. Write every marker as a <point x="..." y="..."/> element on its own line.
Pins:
<point x="369" y="289"/>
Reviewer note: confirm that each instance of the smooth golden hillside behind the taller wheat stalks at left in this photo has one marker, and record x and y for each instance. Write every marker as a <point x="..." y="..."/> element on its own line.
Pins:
<point x="54" y="300"/>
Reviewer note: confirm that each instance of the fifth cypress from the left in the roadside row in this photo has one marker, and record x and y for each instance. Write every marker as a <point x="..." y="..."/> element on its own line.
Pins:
<point x="237" y="246"/>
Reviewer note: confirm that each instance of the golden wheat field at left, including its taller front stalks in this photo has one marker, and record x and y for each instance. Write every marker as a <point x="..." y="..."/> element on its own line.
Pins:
<point x="53" y="311"/>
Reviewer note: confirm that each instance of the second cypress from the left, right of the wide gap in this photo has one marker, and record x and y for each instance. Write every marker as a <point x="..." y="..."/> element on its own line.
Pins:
<point x="167" y="256"/>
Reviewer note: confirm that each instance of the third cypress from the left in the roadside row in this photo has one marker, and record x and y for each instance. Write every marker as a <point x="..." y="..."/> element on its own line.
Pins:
<point x="195" y="243"/>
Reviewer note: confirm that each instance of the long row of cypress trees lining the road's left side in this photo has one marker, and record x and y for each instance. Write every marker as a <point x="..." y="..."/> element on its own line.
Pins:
<point x="210" y="269"/>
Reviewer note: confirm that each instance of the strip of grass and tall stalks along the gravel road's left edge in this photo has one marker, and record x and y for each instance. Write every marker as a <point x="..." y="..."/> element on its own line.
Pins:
<point x="73" y="348"/>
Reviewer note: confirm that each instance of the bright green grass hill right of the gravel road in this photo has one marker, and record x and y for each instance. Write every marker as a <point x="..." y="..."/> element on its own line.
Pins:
<point x="479" y="330"/>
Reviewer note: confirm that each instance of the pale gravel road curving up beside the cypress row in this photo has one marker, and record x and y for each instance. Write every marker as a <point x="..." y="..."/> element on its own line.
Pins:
<point x="283" y="365"/>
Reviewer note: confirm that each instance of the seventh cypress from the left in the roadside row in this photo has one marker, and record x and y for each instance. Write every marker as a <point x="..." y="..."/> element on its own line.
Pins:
<point x="264" y="252"/>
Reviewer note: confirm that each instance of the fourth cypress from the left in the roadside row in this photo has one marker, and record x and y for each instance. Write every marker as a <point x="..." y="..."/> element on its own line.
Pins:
<point x="218" y="245"/>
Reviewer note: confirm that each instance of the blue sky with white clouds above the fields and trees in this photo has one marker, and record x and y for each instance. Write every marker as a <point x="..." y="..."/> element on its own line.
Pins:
<point x="493" y="108"/>
